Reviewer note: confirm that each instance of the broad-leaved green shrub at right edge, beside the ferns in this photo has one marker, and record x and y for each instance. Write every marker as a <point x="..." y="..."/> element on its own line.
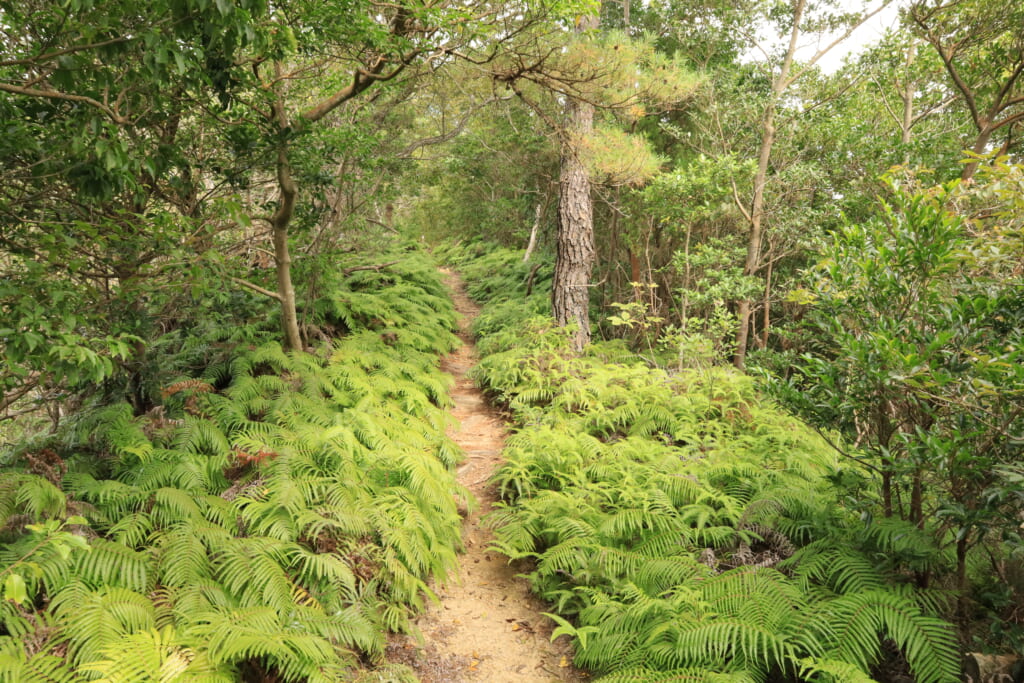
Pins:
<point x="921" y="332"/>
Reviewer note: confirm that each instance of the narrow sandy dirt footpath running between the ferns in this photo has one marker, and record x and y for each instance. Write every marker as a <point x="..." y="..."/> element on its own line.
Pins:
<point x="488" y="626"/>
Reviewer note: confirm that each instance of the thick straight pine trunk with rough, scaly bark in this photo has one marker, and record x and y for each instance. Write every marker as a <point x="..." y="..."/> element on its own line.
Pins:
<point x="575" y="255"/>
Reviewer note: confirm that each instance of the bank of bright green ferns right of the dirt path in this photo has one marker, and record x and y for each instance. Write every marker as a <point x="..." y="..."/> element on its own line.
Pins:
<point x="684" y="527"/>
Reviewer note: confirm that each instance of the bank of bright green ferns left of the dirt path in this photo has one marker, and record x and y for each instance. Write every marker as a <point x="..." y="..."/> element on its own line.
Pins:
<point x="270" y="519"/>
